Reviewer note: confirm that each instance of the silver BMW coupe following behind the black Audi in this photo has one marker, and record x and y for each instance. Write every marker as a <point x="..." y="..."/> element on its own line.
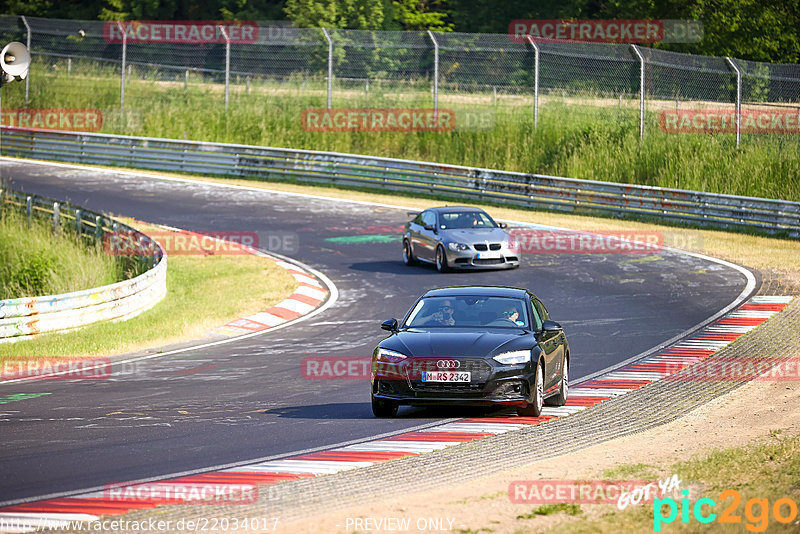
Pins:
<point x="459" y="238"/>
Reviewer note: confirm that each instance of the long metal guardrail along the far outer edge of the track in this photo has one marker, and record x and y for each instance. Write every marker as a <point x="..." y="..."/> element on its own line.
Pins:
<point x="529" y="190"/>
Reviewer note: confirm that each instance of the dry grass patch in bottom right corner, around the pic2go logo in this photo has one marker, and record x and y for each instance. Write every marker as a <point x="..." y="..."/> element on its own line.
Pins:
<point x="746" y="482"/>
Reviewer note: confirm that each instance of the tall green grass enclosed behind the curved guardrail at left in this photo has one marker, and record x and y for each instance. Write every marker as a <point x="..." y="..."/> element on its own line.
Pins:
<point x="34" y="262"/>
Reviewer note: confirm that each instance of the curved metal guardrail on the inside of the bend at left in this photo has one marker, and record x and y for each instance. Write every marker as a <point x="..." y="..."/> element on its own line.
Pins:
<point x="22" y="318"/>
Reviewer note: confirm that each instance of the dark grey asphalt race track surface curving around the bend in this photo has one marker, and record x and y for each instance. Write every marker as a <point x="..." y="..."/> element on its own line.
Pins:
<point x="248" y="399"/>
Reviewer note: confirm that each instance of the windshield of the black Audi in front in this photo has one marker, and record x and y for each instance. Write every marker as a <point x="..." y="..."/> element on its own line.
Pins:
<point x="469" y="311"/>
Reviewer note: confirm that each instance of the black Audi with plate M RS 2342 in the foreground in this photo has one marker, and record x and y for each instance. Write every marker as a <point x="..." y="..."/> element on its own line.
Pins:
<point x="472" y="345"/>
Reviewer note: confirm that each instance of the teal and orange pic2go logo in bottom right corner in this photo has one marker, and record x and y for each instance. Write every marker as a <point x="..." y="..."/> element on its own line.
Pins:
<point x="756" y="511"/>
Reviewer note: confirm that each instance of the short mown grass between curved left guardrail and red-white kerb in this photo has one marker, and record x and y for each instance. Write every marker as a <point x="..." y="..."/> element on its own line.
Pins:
<point x="203" y="292"/>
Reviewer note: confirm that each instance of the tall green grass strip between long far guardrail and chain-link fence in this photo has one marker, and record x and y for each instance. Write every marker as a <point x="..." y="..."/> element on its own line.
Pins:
<point x="592" y="139"/>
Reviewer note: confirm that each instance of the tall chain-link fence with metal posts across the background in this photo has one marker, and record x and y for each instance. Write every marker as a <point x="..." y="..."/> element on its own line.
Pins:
<point x="641" y="86"/>
